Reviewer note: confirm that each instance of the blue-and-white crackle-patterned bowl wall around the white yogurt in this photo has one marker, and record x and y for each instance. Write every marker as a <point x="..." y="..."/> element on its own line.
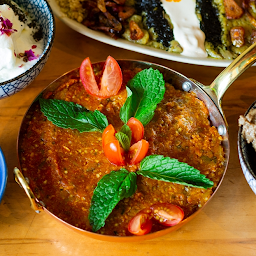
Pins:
<point x="41" y="10"/>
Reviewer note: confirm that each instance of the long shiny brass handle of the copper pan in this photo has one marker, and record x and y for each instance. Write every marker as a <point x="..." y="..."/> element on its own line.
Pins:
<point x="231" y="73"/>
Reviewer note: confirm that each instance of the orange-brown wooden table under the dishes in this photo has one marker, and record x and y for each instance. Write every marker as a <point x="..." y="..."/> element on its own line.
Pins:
<point x="226" y="226"/>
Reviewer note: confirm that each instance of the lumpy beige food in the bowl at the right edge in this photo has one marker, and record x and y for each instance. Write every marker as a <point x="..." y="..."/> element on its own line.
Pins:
<point x="249" y="127"/>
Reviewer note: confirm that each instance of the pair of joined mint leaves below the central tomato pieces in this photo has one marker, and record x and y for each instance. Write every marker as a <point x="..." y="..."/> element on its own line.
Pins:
<point x="115" y="186"/>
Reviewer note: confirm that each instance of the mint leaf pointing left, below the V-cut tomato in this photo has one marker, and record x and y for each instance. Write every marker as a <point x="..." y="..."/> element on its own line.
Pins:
<point x="66" y="114"/>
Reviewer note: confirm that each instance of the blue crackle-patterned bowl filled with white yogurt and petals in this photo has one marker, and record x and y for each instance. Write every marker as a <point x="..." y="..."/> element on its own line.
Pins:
<point x="26" y="38"/>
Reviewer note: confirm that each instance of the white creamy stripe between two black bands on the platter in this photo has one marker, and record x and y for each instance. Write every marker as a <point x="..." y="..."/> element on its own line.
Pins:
<point x="186" y="27"/>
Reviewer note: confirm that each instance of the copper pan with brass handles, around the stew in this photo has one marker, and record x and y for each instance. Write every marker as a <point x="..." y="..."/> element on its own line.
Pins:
<point x="210" y="95"/>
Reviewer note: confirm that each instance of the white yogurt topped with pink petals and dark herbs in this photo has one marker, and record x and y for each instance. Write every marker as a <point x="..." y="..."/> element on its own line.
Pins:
<point x="20" y="49"/>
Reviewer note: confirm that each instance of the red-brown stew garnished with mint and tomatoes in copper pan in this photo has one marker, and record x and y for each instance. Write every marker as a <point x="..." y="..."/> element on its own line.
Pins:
<point x="69" y="169"/>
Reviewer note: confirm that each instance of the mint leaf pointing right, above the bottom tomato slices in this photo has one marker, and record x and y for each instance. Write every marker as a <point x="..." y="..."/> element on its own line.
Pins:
<point x="168" y="169"/>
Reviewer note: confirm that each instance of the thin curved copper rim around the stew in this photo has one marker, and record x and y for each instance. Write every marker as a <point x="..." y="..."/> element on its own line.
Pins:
<point x="158" y="233"/>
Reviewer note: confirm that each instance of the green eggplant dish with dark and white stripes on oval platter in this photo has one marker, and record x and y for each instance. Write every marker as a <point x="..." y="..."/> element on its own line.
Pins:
<point x="220" y="29"/>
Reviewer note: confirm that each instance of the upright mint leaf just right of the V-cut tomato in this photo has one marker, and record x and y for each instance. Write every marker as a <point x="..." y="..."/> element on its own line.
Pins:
<point x="144" y="92"/>
